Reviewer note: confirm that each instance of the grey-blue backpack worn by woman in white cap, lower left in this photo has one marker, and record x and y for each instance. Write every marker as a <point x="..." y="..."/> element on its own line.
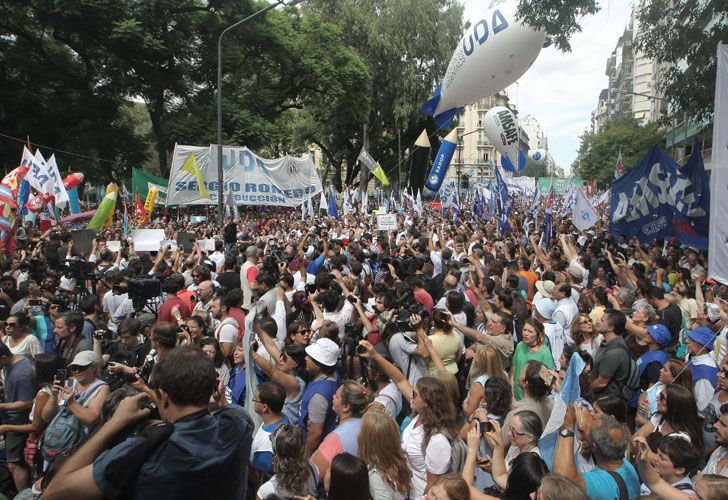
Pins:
<point x="65" y="434"/>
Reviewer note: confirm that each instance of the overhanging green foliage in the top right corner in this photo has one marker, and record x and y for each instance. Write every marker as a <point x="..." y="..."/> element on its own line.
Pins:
<point x="683" y="35"/>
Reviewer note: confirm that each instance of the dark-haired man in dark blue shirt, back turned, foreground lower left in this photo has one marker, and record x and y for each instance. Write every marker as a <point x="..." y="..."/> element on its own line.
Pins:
<point x="194" y="454"/>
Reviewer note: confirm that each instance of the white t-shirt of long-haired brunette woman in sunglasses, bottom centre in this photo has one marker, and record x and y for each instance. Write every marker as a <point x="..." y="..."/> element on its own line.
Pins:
<point x="436" y="459"/>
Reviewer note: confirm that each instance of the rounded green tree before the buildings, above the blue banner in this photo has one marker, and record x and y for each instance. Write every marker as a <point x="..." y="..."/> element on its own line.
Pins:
<point x="598" y="152"/>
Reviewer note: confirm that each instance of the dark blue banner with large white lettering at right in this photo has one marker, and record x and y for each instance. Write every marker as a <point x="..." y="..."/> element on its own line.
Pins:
<point x="658" y="199"/>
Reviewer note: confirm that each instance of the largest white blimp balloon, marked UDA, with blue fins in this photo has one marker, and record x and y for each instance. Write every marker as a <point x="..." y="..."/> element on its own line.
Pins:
<point x="493" y="53"/>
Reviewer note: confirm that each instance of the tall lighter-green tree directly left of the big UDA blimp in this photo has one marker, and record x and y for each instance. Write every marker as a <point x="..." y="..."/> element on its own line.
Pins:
<point x="406" y="45"/>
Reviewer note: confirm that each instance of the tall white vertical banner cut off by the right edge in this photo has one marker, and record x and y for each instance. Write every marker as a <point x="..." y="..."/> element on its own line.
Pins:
<point x="718" y="237"/>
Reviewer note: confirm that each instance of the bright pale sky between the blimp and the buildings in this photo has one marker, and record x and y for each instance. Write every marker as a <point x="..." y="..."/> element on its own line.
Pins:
<point x="561" y="89"/>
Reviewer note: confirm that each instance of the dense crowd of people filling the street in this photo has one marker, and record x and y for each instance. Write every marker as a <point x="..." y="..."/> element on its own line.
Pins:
<point x="324" y="359"/>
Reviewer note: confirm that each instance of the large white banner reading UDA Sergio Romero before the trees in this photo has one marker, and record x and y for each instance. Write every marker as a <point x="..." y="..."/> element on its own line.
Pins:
<point x="252" y="180"/>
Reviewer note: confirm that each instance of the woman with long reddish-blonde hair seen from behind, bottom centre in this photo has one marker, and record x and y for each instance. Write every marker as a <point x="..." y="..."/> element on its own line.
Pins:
<point x="389" y="475"/>
